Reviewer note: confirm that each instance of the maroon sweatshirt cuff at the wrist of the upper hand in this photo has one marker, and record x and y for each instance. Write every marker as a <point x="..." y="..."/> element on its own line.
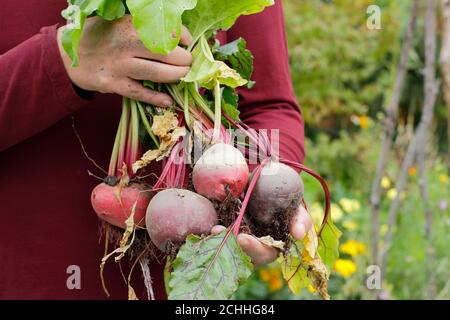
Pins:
<point x="63" y="87"/>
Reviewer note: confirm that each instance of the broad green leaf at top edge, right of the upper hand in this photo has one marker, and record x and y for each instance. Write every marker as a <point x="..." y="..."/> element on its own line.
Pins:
<point x="212" y="15"/>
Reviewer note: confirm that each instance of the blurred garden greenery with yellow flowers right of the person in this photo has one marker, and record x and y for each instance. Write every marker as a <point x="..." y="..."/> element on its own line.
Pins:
<point x="344" y="75"/>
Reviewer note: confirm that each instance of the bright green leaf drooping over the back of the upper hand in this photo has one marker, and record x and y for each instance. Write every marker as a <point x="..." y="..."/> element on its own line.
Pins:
<point x="158" y="22"/>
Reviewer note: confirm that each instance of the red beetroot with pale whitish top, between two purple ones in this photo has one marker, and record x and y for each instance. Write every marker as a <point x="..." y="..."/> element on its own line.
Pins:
<point x="222" y="169"/>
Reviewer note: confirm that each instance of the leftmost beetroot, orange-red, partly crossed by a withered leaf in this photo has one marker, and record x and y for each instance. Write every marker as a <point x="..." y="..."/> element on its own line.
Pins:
<point x="114" y="204"/>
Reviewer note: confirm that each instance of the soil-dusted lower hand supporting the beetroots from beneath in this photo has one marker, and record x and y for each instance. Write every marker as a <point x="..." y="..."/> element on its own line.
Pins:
<point x="261" y="253"/>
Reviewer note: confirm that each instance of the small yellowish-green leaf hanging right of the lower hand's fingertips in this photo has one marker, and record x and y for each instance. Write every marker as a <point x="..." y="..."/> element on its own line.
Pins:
<point x="329" y="243"/>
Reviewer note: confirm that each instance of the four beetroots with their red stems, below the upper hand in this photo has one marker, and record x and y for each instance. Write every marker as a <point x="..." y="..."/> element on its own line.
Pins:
<point x="191" y="199"/>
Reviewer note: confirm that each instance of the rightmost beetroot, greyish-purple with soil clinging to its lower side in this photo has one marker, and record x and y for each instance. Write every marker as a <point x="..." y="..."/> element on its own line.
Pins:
<point x="278" y="188"/>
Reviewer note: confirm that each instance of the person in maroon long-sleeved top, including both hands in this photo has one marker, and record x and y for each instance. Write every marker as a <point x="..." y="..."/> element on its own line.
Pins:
<point x="49" y="229"/>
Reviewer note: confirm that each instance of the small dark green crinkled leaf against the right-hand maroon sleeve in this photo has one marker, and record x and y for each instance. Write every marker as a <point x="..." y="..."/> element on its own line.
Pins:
<point x="237" y="55"/>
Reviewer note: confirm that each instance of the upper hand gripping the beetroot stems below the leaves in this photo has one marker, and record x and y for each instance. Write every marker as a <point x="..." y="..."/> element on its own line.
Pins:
<point x="112" y="59"/>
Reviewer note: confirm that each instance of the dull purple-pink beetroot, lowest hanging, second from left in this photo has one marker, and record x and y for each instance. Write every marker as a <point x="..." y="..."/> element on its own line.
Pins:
<point x="173" y="214"/>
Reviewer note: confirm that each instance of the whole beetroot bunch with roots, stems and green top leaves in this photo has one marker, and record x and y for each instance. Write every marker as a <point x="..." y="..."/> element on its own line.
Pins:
<point x="193" y="192"/>
